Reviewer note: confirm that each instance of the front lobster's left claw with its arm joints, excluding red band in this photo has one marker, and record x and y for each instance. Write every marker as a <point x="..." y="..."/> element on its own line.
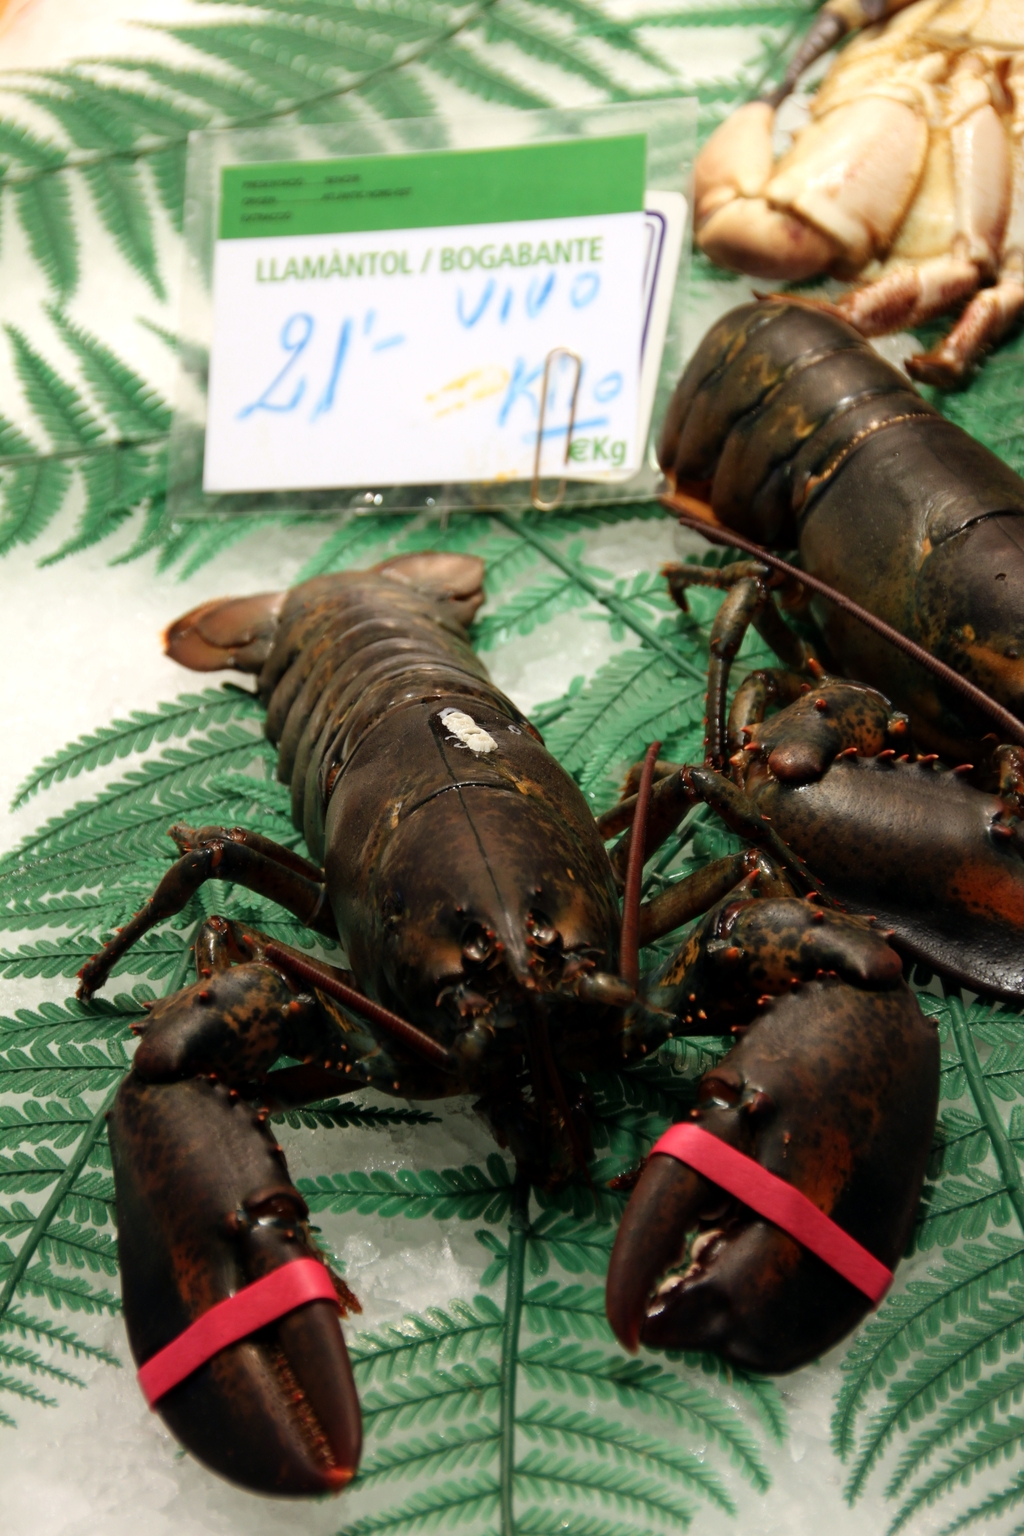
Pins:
<point x="206" y="1208"/>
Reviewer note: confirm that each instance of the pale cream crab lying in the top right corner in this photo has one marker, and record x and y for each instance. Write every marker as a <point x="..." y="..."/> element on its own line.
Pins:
<point x="910" y="174"/>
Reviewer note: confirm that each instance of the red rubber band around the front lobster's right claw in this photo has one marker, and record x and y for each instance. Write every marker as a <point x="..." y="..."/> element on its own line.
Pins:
<point x="779" y="1202"/>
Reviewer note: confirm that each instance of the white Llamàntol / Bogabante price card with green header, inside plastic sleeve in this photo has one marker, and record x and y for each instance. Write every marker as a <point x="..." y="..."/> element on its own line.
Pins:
<point x="394" y="319"/>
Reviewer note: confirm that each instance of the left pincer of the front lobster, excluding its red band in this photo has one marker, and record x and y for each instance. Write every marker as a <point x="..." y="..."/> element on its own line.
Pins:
<point x="205" y="1210"/>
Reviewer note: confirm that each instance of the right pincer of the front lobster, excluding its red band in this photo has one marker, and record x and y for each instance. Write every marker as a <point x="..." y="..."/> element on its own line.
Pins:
<point x="833" y="1091"/>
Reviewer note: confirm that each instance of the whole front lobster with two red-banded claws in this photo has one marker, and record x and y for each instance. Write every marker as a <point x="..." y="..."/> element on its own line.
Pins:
<point x="469" y="884"/>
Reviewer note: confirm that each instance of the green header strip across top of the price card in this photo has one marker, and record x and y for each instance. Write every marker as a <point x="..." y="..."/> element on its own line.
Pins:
<point x="477" y="187"/>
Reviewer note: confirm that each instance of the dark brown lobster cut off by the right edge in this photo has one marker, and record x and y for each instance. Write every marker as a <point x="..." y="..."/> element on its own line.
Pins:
<point x="799" y="434"/>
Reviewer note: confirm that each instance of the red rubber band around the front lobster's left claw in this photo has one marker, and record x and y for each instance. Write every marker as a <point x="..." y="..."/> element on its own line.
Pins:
<point x="265" y="1302"/>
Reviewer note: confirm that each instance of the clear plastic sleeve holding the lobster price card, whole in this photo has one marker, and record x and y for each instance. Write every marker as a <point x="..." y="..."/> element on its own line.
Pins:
<point x="491" y="320"/>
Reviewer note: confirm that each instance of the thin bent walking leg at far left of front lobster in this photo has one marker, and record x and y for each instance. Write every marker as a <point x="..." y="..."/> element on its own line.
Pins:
<point x="217" y="853"/>
